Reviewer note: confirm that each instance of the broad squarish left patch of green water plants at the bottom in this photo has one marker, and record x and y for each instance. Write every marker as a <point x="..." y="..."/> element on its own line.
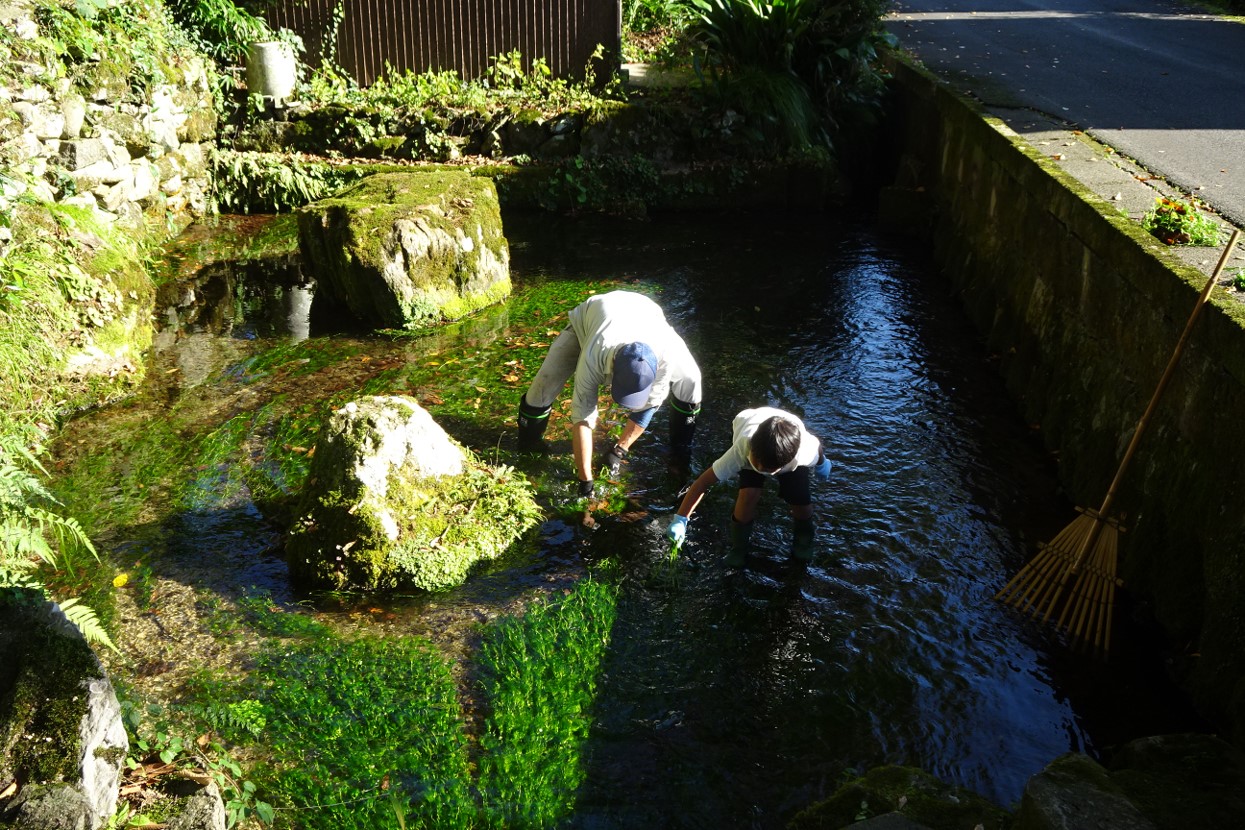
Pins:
<point x="357" y="724"/>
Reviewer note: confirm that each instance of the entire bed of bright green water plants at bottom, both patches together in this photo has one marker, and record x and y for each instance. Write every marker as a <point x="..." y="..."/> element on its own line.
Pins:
<point x="368" y="732"/>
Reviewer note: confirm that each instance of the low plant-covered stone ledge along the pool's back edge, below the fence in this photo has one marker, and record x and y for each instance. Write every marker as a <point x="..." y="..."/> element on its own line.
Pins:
<point x="618" y="157"/>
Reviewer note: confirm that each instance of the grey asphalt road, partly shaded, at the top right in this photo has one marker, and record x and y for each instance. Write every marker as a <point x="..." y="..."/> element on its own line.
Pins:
<point x="1158" y="82"/>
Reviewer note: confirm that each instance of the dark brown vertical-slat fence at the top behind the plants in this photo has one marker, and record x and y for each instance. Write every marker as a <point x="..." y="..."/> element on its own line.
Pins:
<point x="461" y="35"/>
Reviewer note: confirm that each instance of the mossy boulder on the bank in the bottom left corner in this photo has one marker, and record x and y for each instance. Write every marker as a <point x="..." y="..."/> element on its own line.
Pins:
<point x="62" y="734"/>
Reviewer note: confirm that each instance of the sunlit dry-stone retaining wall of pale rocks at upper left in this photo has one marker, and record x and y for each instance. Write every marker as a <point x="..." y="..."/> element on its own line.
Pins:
<point x="101" y="144"/>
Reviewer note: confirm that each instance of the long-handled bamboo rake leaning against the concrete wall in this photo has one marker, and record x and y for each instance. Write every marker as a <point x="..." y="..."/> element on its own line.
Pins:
<point x="1086" y="552"/>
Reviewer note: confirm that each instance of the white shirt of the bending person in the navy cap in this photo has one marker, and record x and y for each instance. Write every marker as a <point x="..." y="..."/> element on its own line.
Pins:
<point x="609" y="322"/>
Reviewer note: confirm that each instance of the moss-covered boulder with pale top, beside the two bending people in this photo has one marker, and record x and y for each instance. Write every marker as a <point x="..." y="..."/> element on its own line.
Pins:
<point x="393" y="502"/>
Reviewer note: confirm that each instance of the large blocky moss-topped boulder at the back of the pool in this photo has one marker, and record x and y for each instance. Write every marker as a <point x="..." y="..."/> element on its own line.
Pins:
<point x="402" y="251"/>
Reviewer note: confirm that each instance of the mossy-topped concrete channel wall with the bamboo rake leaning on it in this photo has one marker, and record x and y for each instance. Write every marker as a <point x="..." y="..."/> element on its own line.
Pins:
<point x="1084" y="310"/>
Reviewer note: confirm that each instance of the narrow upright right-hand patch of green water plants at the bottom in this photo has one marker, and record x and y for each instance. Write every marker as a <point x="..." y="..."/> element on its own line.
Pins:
<point x="540" y="675"/>
